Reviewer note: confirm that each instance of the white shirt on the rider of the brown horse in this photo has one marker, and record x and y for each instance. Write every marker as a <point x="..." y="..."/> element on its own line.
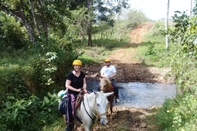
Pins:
<point x="108" y="71"/>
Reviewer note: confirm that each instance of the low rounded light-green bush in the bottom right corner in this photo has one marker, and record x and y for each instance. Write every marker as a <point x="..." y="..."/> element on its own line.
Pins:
<point x="178" y="114"/>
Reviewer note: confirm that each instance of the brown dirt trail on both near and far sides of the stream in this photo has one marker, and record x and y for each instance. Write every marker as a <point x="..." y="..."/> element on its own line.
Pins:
<point x="131" y="70"/>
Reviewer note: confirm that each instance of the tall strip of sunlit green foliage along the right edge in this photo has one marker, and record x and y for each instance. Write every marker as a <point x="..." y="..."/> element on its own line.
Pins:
<point x="180" y="114"/>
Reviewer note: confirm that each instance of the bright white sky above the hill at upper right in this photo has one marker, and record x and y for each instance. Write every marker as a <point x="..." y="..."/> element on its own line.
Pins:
<point x="157" y="9"/>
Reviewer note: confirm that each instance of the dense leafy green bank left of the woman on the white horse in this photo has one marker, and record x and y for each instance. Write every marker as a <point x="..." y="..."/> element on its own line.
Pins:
<point x="26" y="75"/>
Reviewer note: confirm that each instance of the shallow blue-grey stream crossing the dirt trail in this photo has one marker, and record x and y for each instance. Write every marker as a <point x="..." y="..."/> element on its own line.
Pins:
<point x="140" y="95"/>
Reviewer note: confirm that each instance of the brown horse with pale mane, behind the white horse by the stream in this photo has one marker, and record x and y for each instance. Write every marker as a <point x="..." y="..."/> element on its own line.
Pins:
<point x="106" y="86"/>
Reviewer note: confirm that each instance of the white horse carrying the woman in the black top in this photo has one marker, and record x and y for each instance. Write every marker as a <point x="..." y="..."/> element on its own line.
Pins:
<point x="93" y="106"/>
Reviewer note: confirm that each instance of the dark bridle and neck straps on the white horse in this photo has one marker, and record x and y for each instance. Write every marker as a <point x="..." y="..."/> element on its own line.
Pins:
<point x="97" y="115"/>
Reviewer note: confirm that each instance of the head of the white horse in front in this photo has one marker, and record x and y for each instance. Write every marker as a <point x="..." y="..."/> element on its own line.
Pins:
<point x="102" y="106"/>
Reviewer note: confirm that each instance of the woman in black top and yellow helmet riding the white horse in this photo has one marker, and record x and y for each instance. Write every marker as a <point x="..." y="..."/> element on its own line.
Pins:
<point x="75" y="83"/>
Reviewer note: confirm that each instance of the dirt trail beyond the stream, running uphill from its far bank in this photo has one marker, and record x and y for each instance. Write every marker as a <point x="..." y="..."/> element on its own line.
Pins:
<point x="129" y="69"/>
